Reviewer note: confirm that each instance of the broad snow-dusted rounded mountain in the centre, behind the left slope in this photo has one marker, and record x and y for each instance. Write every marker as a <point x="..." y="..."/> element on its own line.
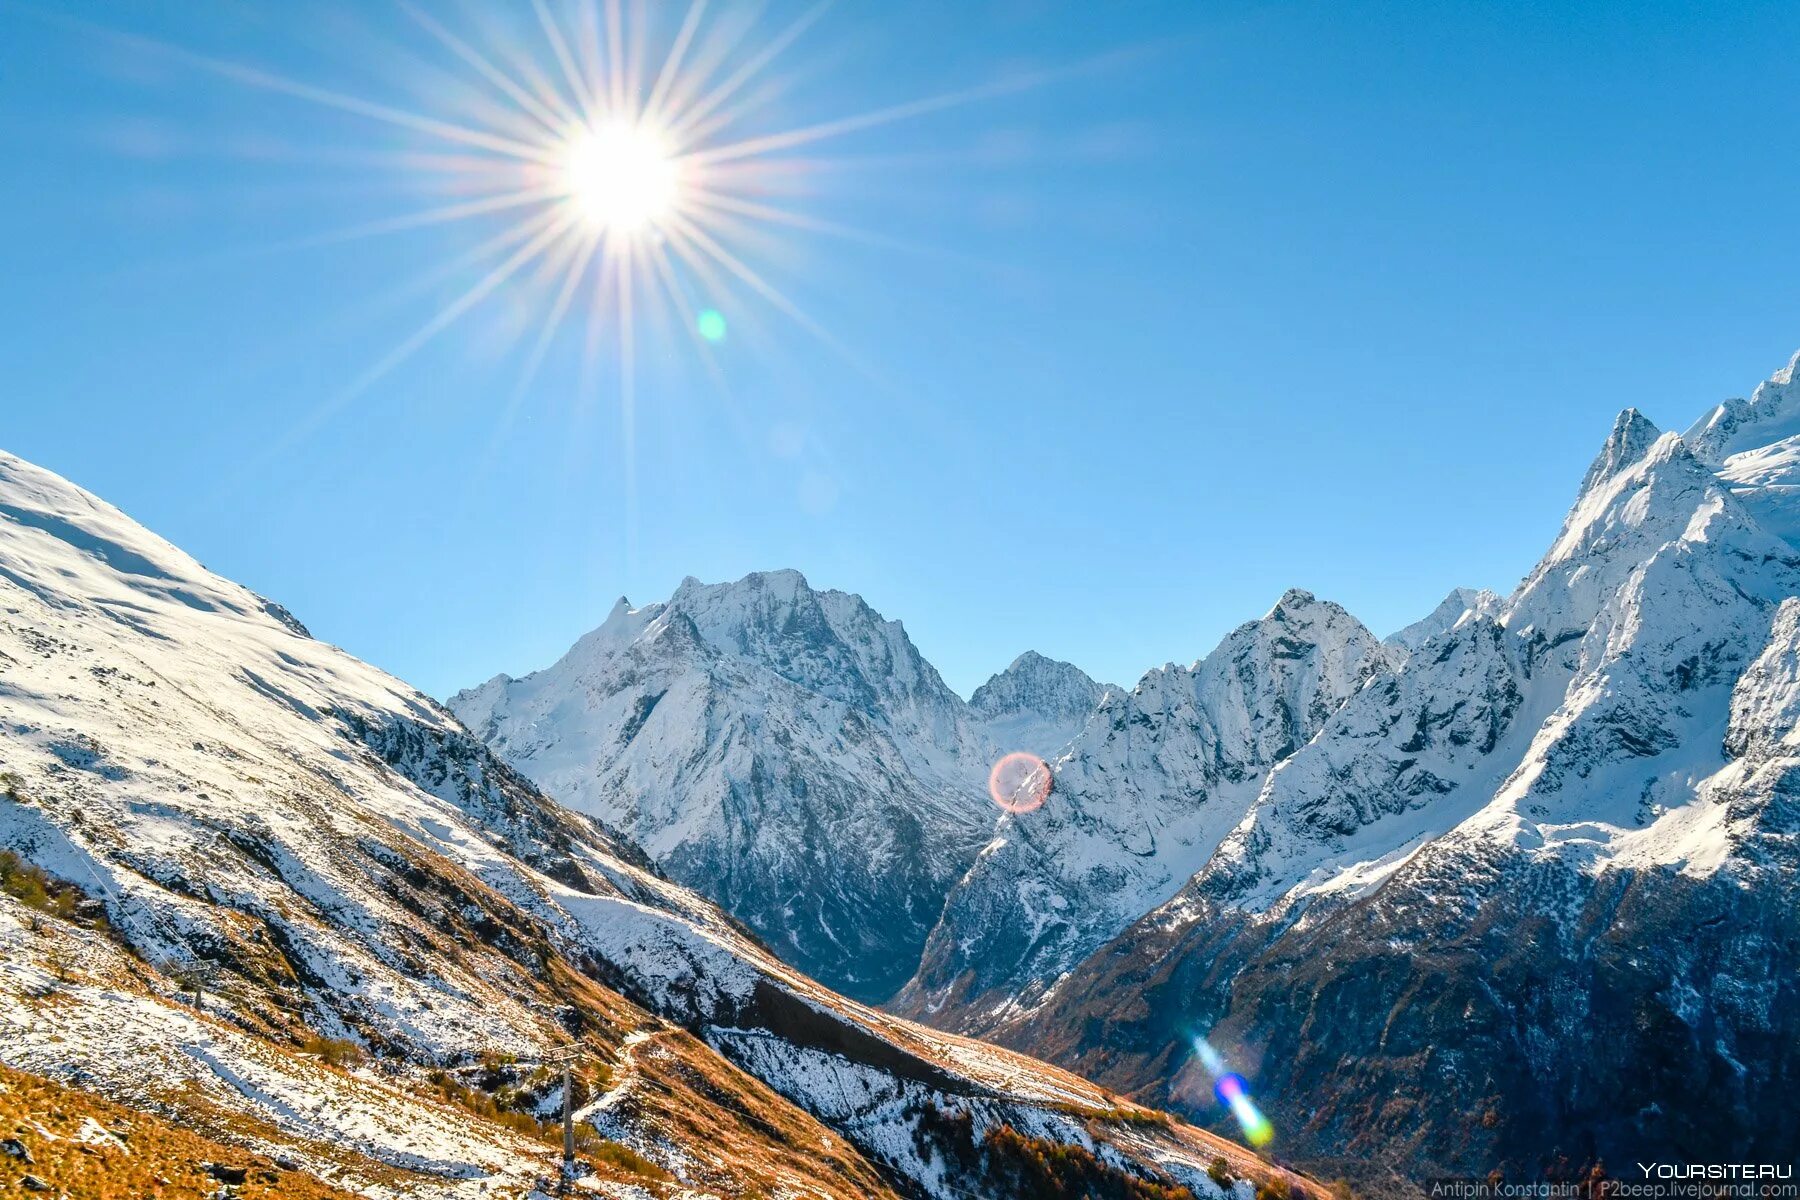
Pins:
<point x="784" y="751"/>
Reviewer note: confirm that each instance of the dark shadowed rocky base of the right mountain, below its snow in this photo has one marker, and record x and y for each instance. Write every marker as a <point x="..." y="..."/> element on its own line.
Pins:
<point x="1659" y="1019"/>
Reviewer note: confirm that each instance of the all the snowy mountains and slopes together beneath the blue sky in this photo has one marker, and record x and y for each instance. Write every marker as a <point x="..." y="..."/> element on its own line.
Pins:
<point x="1513" y="888"/>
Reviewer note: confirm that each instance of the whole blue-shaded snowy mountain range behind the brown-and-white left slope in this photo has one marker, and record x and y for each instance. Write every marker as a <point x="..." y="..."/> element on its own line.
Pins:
<point x="1515" y="886"/>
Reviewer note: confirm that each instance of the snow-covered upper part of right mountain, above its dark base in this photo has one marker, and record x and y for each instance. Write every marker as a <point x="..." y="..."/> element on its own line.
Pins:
<point x="1671" y="587"/>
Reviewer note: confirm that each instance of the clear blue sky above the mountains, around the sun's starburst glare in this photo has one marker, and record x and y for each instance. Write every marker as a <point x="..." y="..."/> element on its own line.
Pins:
<point x="1326" y="296"/>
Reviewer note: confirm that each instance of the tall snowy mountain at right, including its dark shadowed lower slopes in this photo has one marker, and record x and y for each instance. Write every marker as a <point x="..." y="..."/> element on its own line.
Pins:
<point x="1522" y="884"/>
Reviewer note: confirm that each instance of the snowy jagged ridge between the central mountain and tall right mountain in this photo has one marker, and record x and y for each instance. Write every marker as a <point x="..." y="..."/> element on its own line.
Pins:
<point x="1142" y="798"/>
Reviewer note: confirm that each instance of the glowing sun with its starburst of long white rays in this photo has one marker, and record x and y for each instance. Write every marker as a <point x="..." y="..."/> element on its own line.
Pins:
<point x="622" y="174"/>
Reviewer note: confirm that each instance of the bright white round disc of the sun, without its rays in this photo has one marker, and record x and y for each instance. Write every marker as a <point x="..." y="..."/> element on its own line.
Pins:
<point x="622" y="177"/>
